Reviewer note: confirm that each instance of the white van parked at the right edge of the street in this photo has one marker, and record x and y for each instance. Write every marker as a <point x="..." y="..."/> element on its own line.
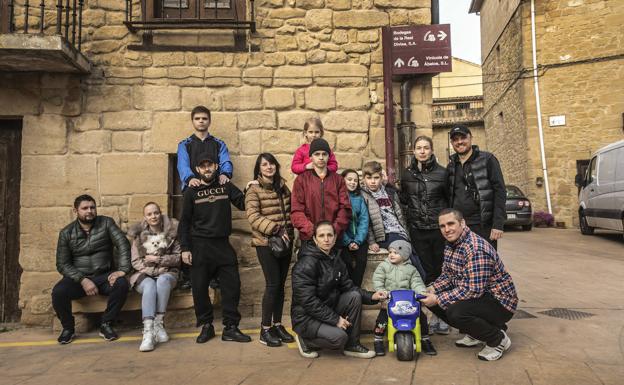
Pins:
<point x="601" y="200"/>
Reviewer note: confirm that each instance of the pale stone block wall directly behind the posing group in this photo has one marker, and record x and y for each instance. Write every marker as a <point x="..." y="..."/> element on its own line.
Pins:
<point x="113" y="132"/>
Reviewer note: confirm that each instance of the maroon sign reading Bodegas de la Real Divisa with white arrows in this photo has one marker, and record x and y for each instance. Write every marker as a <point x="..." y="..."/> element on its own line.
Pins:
<point x="418" y="49"/>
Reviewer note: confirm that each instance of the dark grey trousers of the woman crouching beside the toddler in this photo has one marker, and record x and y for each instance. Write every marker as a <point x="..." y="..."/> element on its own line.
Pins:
<point x="332" y="337"/>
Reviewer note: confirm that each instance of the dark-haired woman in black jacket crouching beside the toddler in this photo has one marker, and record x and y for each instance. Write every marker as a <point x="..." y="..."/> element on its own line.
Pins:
<point x="326" y="305"/>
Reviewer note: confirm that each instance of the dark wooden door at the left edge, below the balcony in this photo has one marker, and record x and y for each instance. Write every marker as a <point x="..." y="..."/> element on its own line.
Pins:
<point x="10" y="167"/>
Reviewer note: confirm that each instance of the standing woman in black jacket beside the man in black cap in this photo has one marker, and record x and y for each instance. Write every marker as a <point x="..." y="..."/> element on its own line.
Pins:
<point x="424" y="190"/>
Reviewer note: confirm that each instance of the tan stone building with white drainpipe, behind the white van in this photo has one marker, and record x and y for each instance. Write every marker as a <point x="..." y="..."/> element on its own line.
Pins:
<point x="580" y="57"/>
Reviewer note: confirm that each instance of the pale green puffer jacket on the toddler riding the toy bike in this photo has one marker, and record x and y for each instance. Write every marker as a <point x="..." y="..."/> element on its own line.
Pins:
<point x="389" y="276"/>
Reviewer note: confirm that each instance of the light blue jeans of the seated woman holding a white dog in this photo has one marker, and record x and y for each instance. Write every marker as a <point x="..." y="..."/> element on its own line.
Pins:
<point x="155" y="294"/>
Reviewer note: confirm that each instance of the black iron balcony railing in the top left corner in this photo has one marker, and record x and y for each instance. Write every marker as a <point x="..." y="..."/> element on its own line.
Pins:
<point x="38" y="17"/>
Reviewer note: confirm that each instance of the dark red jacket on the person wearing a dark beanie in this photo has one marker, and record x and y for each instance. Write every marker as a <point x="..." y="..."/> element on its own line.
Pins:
<point x="315" y="199"/>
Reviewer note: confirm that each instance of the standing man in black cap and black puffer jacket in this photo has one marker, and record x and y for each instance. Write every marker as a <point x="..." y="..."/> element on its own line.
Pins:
<point x="476" y="186"/>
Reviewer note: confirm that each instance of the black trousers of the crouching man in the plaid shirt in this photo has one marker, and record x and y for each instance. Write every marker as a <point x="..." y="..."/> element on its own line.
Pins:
<point x="482" y="318"/>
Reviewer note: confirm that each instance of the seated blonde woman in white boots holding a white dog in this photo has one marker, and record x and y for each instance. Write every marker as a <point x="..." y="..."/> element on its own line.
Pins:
<point x="156" y="259"/>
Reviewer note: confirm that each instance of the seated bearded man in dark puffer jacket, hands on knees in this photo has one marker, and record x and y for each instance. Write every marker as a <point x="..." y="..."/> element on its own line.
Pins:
<point x="84" y="256"/>
